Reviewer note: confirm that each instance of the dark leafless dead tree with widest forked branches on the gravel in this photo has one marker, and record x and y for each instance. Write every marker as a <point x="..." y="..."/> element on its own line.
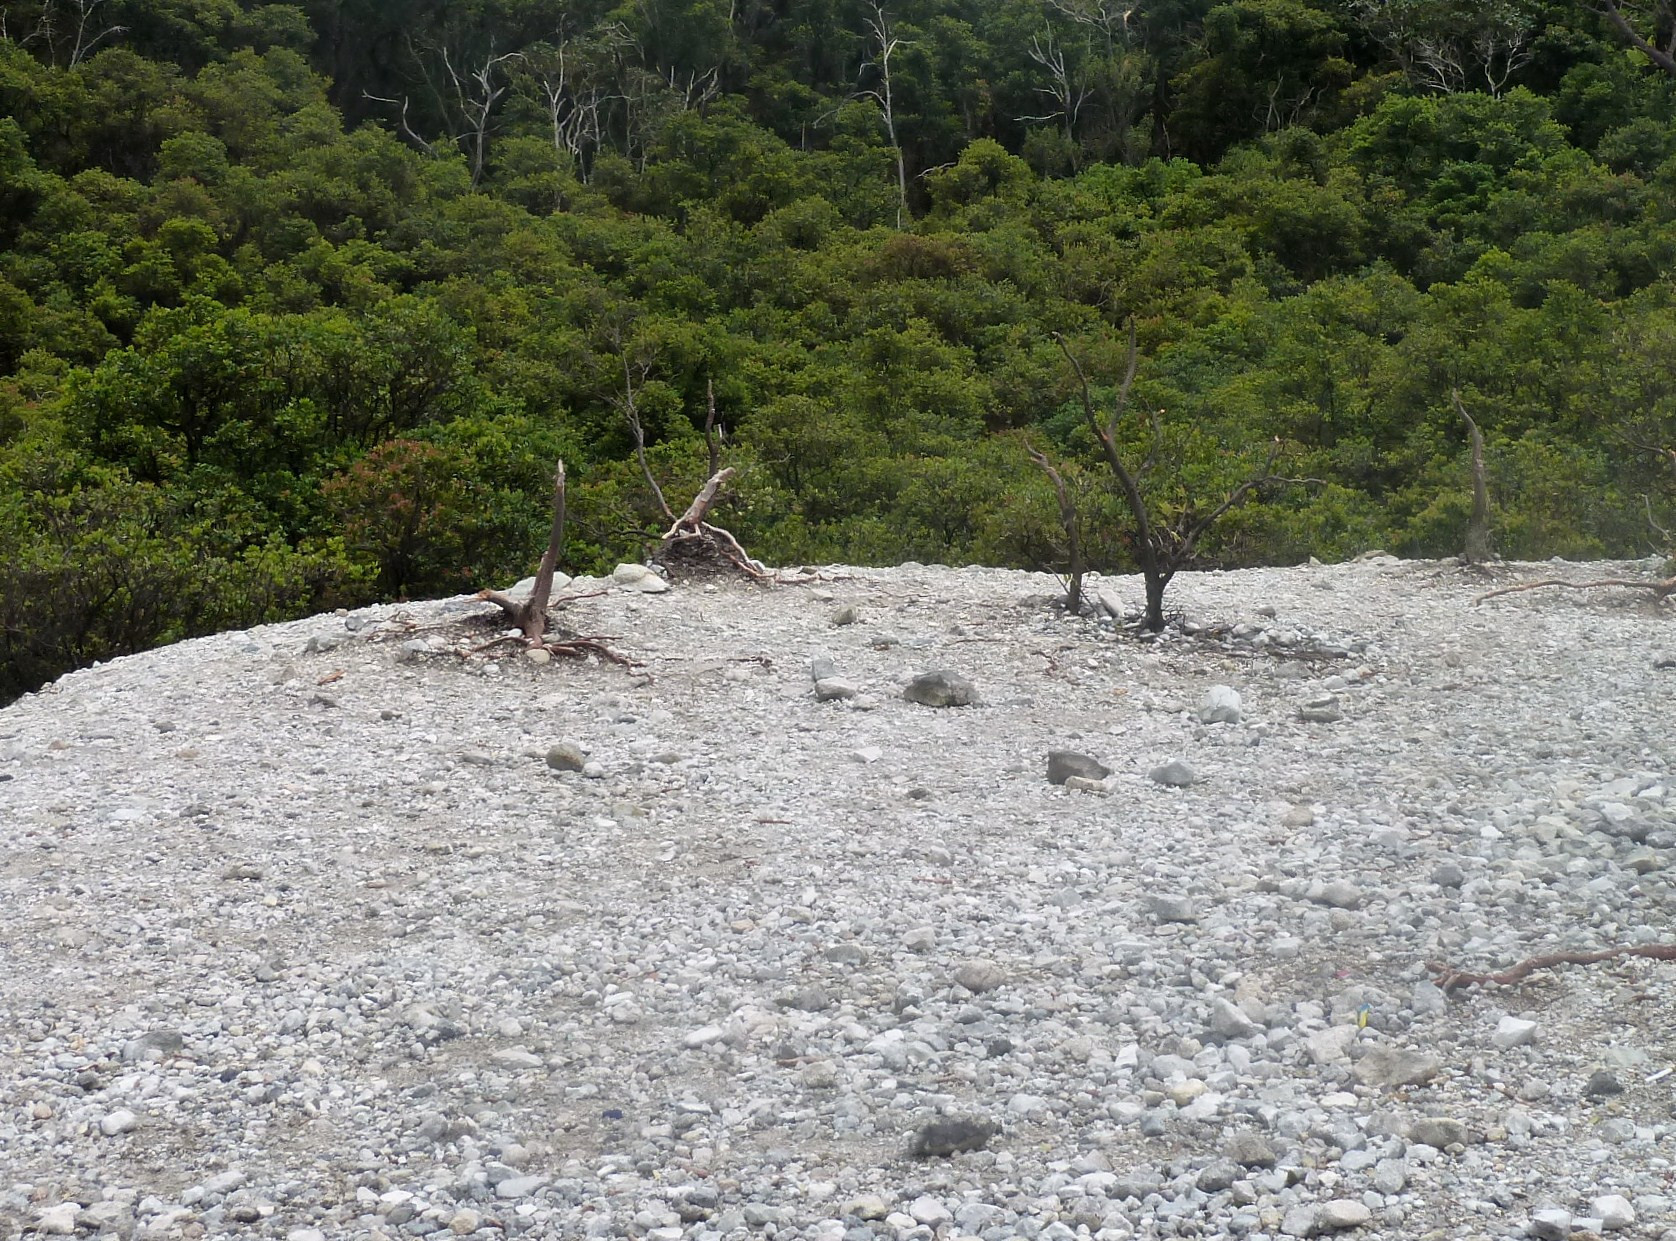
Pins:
<point x="1162" y="548"/>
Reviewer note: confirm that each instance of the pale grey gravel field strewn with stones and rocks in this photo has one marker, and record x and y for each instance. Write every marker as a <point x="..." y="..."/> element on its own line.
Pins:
<point x="326" y="932"/>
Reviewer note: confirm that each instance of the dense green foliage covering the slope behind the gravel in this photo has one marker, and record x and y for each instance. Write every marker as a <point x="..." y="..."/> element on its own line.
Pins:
<point x="299" y="303"/>
